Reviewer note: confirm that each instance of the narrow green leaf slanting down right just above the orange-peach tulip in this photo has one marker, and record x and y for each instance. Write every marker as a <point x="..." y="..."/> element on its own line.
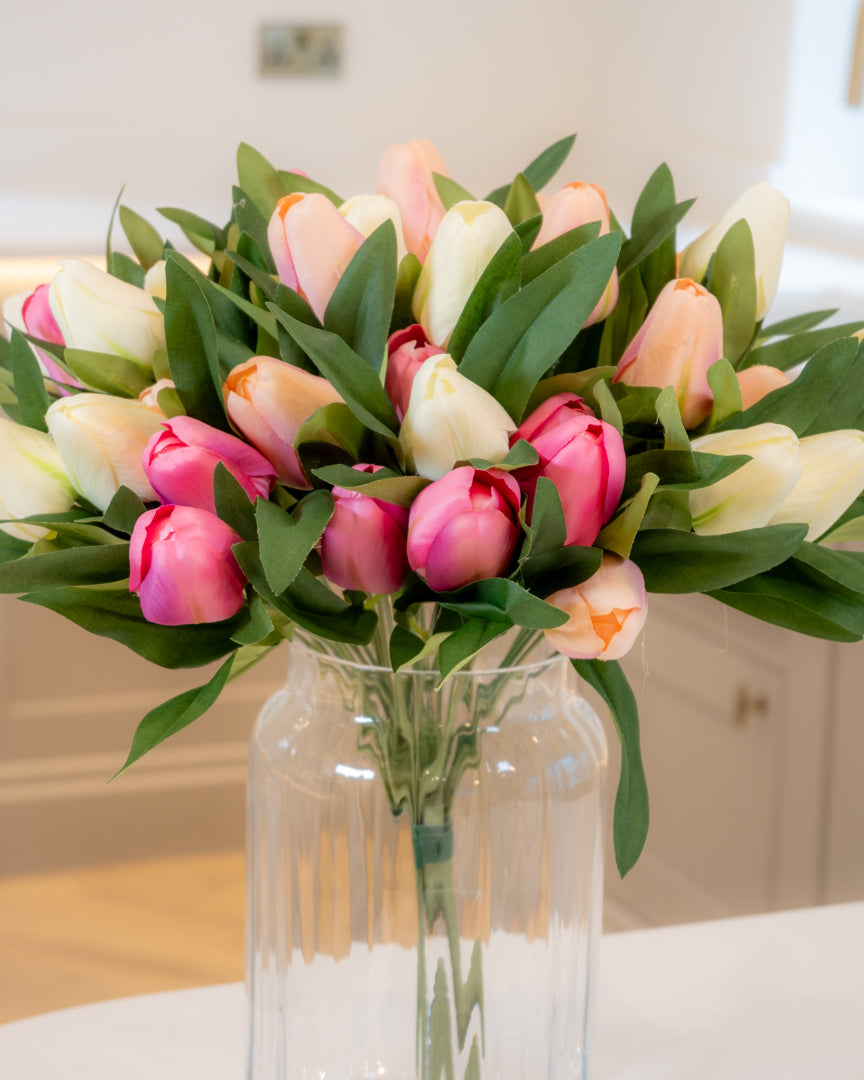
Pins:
<point x="357" y="383"/>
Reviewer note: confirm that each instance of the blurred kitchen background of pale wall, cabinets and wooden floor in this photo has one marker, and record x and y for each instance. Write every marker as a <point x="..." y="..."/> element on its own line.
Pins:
<point x="751" y="735"/>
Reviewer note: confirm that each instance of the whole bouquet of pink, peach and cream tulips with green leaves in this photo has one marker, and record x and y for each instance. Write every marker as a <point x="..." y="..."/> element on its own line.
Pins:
<point x="409" y="424"/>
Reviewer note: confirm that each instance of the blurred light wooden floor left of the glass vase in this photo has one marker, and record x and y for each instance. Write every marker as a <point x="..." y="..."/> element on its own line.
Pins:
<point x="89" y="935"/>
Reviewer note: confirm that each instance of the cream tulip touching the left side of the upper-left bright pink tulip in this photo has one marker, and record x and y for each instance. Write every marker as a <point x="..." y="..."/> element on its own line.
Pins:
<point x="102" y="441"/>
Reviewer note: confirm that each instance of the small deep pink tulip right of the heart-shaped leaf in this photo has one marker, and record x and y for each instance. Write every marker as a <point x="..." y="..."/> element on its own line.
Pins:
<point x="363" y="546"/>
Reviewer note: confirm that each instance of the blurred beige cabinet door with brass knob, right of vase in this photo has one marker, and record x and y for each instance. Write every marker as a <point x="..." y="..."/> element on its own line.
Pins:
<point x="732" y="717"/>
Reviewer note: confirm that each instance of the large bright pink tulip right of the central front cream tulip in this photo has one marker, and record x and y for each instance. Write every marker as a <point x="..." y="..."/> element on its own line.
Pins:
<point x="585" y="460"/>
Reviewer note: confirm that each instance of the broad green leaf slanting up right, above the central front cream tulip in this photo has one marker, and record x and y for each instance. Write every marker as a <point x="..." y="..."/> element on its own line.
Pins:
<point x="524" y="337"/>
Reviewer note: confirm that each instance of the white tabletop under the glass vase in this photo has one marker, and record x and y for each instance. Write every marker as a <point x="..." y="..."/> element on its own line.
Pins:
<point x="768" y="997"/>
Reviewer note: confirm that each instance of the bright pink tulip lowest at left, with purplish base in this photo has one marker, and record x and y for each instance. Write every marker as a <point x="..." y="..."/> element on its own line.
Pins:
<point x="182" y="568"/>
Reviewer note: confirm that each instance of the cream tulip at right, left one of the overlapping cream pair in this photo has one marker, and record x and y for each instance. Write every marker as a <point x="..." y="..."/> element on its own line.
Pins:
<point x="750" y="497"/>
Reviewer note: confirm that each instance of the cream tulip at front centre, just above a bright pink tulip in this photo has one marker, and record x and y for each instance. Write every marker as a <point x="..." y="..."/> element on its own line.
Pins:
<point x="452" y="420"/>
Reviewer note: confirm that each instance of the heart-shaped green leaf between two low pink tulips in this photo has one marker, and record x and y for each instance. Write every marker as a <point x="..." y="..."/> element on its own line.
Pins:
<point x="288" y="539"/>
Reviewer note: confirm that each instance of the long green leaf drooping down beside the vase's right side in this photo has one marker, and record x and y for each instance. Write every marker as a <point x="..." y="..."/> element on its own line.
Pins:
<point x="630" y="821"/>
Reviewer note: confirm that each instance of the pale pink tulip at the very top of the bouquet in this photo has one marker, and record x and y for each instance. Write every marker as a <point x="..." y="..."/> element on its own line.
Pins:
<point x="406" y="175"/>
